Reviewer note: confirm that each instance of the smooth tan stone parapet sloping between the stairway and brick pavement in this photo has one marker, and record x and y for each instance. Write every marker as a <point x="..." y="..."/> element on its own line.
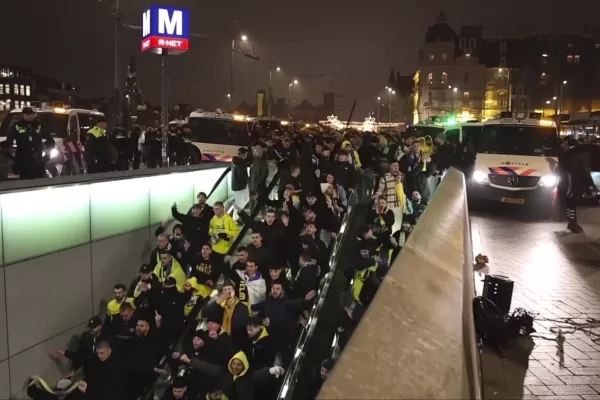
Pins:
<point x="417" y="339"/>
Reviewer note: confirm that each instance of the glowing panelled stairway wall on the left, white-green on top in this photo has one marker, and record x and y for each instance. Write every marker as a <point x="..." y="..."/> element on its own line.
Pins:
<point x="63" y="246"/>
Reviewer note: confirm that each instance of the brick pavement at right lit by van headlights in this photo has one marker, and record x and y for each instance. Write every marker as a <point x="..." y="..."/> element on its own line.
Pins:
<point x="556" y="274"/>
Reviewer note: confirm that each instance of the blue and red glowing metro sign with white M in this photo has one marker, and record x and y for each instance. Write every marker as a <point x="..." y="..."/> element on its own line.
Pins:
<point x="165" y="28"/>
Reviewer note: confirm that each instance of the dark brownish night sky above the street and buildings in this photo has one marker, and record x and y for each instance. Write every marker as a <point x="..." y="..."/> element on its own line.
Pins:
<point x="353" y="44"/>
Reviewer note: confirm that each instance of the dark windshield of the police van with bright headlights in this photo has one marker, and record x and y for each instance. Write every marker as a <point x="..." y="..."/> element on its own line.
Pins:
<point x="519" y="140"/>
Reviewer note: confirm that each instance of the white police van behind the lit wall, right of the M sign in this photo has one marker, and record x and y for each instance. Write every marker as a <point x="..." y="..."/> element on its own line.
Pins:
<point x="217" y="136"/>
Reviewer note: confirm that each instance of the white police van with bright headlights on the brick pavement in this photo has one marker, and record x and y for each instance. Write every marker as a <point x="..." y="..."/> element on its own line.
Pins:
<point x="516" y="163"/>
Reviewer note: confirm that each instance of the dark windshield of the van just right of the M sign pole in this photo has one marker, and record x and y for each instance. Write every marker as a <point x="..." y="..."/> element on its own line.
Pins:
<point x="219" y="131"/>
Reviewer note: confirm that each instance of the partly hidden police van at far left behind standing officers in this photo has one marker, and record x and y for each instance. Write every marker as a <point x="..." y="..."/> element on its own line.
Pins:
<point x="62" y="124"/>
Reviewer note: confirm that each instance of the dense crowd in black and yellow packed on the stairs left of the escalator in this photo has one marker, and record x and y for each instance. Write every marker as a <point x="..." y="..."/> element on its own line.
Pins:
<point x="234" y="310"/>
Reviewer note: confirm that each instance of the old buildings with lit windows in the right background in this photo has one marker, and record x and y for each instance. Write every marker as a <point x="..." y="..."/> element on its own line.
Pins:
<point x="464" y="75"/>
